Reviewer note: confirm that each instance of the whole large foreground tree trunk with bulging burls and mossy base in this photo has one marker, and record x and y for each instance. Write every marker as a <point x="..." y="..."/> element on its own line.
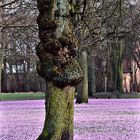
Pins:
<point x="57" y="54"/>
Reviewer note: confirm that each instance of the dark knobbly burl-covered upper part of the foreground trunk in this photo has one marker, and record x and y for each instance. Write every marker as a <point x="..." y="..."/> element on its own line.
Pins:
<point x="58" y="46"/>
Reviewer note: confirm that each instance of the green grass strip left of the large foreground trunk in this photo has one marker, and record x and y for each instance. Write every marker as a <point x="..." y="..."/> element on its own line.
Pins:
<point x="21" y="96"/>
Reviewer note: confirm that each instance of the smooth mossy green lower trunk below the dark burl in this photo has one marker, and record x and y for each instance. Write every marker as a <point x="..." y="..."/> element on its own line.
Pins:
<point x="59" y="114"/>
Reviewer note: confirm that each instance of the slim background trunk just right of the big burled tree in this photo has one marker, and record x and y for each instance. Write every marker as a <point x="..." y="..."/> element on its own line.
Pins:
<point x="82" y="96"/>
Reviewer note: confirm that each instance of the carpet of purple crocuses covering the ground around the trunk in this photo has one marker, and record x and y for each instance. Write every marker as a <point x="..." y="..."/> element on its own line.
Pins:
<point x="100" y="119"/>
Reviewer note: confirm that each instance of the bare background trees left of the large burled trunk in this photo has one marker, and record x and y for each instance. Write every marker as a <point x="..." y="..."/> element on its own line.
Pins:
<point x="19" y="58"/>
